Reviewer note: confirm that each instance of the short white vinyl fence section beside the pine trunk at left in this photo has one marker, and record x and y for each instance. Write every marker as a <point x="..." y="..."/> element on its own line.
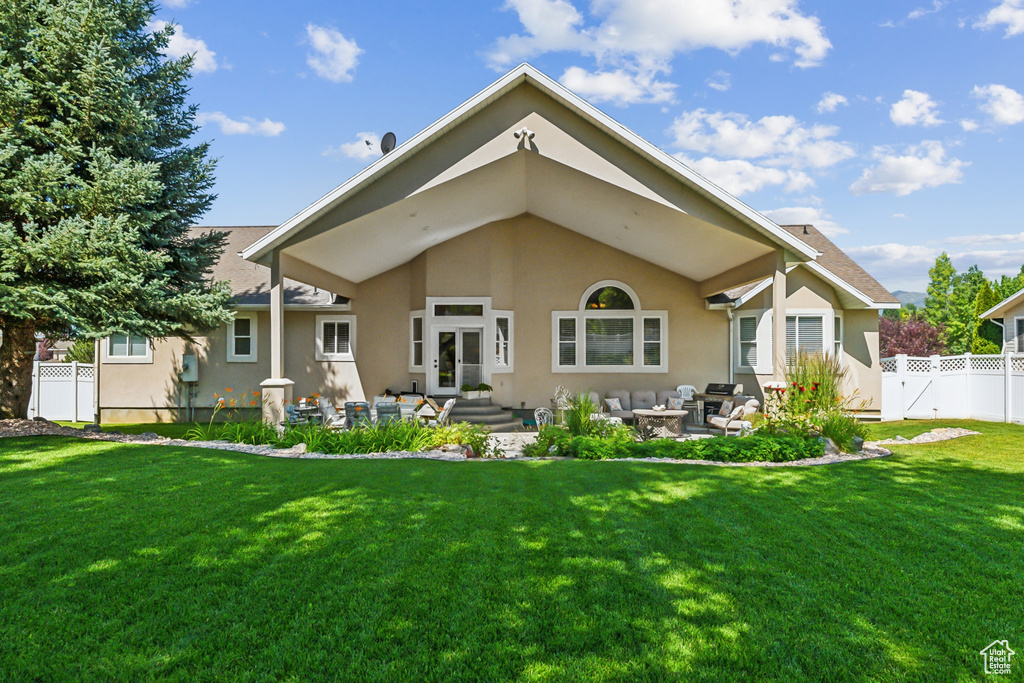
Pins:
<point x="63" y="392"/>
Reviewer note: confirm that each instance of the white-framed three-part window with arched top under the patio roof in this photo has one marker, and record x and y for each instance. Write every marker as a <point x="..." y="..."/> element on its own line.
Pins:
<point x="610" y="333"/>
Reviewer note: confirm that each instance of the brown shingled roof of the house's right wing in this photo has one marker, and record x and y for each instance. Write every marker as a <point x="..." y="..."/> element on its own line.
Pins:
<point x="833" y="266"/>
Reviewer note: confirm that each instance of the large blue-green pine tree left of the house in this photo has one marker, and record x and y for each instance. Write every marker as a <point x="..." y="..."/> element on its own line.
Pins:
<point x="99" y="185"/>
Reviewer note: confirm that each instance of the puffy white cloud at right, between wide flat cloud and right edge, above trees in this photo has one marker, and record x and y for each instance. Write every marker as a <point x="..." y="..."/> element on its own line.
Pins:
<point x="922" y="166"/>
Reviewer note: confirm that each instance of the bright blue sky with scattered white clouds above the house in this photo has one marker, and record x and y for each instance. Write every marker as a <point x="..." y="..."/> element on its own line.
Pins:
<point x="897" y="127"/>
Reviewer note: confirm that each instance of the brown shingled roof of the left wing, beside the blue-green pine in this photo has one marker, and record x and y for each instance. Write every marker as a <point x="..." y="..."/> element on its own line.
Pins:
<point x="251" y="282"/>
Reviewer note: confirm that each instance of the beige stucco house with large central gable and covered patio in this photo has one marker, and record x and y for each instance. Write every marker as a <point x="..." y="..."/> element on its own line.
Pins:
<point x="526" y="240"/>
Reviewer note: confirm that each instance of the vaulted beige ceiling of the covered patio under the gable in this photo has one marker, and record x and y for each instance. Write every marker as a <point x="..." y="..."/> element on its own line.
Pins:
<point x="649" y="228"/>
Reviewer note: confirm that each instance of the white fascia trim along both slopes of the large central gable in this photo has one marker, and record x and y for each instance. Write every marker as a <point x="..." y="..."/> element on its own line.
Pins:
<point x="526" y="73"/>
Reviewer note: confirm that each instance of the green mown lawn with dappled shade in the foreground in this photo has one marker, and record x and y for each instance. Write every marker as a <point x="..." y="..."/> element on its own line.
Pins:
<point x="140" y="562"/>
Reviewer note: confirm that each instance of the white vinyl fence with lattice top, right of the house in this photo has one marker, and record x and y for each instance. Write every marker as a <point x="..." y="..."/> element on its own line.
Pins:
<point x="978" y="388"/>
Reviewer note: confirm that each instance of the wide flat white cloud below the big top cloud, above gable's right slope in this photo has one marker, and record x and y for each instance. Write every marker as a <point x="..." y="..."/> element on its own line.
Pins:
<point x="783" y="141"/>
